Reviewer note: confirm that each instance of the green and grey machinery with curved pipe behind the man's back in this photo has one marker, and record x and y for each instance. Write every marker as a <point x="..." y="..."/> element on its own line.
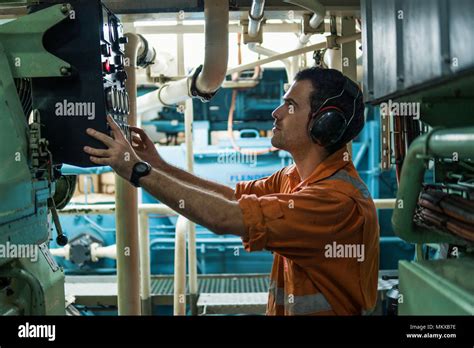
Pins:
<point x="415" y="55"/>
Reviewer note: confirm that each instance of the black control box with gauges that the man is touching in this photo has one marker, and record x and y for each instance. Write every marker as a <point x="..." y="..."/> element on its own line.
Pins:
<point x="91" y="40"/>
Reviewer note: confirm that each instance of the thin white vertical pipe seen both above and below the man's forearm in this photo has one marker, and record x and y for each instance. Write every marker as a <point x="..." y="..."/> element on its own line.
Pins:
<point x="192" y="266"/>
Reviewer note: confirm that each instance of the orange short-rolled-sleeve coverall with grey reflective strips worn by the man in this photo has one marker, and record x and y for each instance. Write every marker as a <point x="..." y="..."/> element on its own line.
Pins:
<point x="299" y="221"/>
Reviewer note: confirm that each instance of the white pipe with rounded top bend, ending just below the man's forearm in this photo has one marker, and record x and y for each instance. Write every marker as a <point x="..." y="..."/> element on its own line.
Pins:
<point x="179" y="296"/>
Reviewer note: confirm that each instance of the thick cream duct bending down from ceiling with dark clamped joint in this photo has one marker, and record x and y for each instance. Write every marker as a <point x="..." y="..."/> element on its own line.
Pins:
<point x="206" y="79"/>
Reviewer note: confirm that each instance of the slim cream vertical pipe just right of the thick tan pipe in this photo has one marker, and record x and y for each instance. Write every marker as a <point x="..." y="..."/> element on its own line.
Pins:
<point x="145" y="271"/>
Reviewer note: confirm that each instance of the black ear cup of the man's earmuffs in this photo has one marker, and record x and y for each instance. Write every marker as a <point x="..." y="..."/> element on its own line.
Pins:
<point x="328" y="126"/>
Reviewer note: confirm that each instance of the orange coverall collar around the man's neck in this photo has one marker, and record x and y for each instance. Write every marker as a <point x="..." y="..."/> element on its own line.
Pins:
<point x="325" y="169"/>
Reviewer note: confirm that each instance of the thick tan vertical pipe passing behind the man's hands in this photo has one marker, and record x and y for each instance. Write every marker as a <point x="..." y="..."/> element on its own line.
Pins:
<point x="126" y="214"/>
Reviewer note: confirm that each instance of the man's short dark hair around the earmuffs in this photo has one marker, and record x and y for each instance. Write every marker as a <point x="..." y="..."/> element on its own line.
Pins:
<point x="328" y="83"/>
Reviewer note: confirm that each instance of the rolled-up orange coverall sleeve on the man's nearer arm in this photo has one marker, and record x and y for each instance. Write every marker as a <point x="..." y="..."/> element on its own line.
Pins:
<point x="298" y="225"/>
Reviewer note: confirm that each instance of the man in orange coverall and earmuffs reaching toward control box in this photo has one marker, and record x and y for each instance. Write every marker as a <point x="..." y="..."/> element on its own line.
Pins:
<point x="316" y="216"/>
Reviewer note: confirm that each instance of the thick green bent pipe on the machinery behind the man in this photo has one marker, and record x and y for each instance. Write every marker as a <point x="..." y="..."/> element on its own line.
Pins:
<point x="441" y="143"/>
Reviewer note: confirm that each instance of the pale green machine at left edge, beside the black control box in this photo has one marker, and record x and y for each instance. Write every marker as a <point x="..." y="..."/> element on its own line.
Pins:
<point x="30" y="280"/>
